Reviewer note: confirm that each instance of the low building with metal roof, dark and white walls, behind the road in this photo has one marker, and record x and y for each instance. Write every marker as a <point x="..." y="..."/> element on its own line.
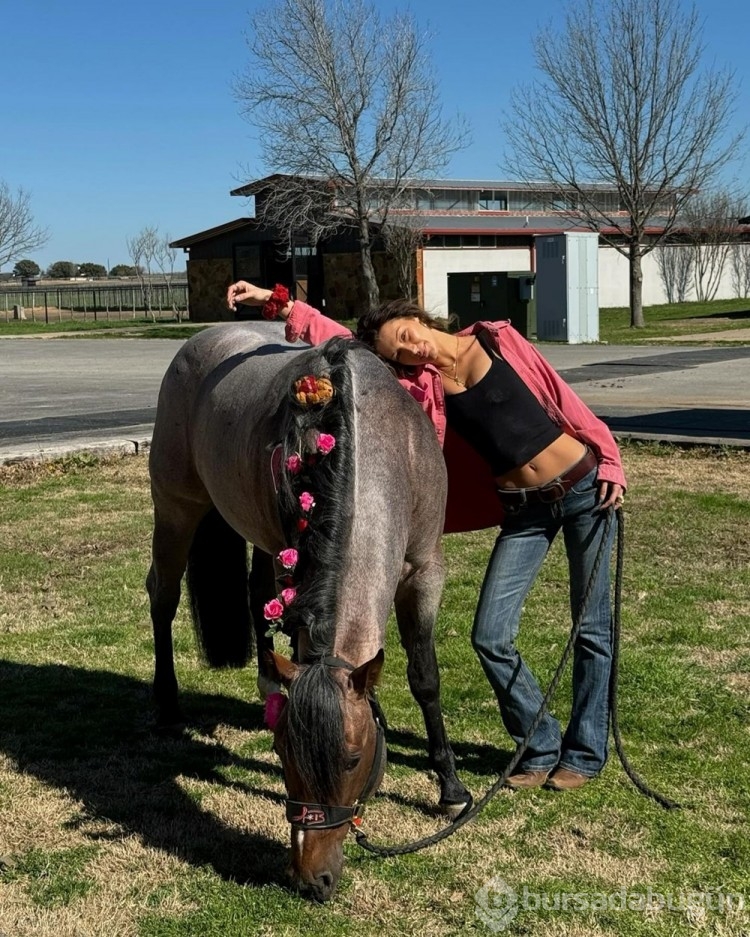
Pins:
<point x="477" y="257"/>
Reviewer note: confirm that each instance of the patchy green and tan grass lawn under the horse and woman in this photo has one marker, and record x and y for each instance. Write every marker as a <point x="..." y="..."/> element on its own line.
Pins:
<point x="109" y="829"/>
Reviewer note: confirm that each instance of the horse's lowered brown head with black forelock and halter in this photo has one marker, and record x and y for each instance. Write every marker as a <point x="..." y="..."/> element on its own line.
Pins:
<point x="330" y="738"/>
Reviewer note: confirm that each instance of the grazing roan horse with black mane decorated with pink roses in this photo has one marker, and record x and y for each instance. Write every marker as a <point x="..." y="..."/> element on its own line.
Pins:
<point x="319" y="458"/>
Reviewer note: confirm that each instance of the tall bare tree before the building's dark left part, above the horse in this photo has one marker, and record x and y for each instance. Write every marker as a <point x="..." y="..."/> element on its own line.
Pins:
<point x="349" y="99"/>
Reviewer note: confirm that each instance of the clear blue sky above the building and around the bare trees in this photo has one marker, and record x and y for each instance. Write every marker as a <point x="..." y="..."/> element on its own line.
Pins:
<point x="120" y="115"/>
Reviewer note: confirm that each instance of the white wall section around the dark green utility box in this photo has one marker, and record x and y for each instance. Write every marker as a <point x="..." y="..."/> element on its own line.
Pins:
<point x="439" y="262"/>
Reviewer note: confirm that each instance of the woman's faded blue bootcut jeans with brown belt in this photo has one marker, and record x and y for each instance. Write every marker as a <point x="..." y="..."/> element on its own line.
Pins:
<point x="516" y="559"/>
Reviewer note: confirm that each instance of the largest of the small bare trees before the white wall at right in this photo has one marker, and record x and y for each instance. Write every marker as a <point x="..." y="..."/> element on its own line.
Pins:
<point x="709" y="223"/>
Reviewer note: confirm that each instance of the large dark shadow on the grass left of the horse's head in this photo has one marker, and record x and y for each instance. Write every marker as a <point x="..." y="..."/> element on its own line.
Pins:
<point x="86" y="732"/>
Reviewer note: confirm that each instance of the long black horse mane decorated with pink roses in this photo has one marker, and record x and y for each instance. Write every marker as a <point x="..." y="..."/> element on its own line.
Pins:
<point x="320" y="535"/>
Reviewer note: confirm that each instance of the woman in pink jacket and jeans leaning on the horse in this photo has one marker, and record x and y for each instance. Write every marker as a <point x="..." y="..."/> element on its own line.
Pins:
<point x="522" y="449"/>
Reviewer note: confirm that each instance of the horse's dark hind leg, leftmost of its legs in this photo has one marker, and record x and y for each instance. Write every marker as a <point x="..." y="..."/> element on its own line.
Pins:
<point x="170" y="548"/>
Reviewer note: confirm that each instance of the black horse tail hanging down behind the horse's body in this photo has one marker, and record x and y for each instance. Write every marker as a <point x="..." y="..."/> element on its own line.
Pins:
<point x="217" y="581"/>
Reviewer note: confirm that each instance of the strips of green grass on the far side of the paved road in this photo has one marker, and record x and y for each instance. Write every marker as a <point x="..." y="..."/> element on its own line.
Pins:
<point x="670" y="321"/>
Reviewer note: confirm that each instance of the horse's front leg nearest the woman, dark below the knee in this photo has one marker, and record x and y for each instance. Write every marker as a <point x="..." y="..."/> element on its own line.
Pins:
<point x="417" y="600"/>
